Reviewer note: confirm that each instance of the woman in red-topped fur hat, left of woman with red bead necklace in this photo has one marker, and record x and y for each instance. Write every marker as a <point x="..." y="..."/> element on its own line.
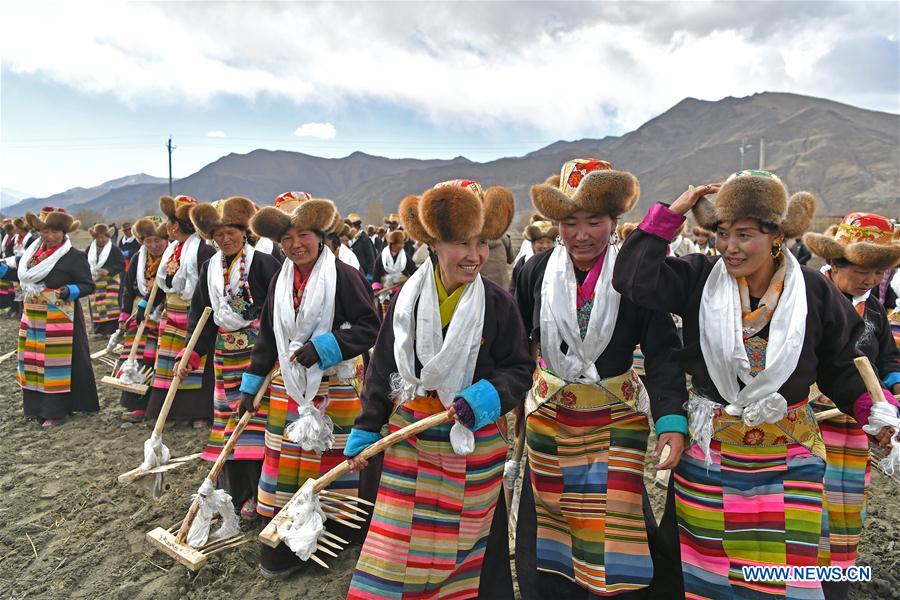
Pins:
<point x="178" y="278"/>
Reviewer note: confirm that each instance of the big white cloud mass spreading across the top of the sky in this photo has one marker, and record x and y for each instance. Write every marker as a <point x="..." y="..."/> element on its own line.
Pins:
<point x="569" y="69"/>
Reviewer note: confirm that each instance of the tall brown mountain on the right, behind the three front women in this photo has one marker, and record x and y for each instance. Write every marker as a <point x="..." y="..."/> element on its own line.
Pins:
<point x="849" y="157"/>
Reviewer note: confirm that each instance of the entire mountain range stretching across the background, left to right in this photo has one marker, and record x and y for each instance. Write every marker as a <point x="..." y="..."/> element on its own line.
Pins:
<point x="848" y="156"/>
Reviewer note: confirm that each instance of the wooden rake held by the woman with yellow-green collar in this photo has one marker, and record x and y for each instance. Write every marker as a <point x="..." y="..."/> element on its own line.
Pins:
<point x="340" y="508"/>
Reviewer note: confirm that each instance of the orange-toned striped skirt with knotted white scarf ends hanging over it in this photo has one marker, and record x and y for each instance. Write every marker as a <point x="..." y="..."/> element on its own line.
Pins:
<point x="286" y="466"/>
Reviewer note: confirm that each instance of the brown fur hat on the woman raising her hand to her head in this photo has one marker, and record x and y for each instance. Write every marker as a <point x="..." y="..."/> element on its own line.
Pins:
<point x="757" y="195"/>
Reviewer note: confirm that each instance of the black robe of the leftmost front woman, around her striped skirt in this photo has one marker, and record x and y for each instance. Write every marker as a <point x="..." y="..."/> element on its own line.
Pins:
<point x="72" y="269"/>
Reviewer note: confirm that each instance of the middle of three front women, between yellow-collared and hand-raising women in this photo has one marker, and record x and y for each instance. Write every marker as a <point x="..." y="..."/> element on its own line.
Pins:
<point x="585" y="523"/>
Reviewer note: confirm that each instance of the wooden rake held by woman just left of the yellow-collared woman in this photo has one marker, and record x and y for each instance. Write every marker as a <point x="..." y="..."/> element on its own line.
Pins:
<point x="173" y="541"/>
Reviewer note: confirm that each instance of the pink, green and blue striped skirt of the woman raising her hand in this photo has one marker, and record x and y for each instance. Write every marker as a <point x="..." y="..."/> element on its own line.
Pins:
<point x="759" y="503"/>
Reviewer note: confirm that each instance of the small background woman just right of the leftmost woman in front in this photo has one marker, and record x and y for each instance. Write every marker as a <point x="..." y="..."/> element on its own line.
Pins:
<point x="106" y="261"/>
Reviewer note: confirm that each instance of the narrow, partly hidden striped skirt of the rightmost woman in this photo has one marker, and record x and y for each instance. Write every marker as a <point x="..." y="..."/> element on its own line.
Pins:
<point x="847" y="477"/>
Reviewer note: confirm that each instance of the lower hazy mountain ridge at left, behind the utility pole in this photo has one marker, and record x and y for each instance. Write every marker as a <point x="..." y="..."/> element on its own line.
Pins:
<point x="262" y="175"/>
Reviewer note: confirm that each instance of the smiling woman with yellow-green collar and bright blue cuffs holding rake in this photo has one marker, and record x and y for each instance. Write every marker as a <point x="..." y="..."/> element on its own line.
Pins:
<point x="469" y="356"/>
